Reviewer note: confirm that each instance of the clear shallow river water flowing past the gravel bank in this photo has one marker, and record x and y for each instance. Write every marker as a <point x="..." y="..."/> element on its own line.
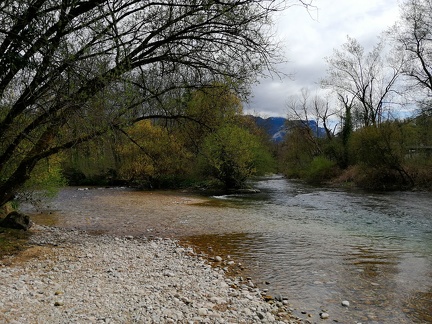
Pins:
<point x="316" y="246"/>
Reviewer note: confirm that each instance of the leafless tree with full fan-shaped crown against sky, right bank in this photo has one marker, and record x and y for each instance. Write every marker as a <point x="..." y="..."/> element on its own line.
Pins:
<point x="365" y="79"/>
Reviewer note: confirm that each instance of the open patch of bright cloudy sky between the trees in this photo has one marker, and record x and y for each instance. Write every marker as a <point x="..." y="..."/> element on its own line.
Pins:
<point x="308" y="38"/>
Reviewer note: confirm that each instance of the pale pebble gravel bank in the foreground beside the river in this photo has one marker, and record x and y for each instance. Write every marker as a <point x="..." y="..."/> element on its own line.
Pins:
<point x="71" y="277"/>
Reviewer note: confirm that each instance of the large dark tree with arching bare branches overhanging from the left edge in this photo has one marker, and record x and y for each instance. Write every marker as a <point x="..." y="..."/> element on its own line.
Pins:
<point x="72" y="70"/>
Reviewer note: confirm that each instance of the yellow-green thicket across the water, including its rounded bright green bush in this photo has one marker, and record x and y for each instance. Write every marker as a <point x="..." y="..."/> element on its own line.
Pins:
<point x="157" y="154"/>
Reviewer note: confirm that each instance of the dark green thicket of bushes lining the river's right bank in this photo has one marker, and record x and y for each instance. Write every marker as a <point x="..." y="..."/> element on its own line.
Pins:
<point x="392" y="155"/>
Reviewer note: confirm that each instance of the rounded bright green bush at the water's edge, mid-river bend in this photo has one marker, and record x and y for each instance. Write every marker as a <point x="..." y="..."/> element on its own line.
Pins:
<point x="232" y="155"/>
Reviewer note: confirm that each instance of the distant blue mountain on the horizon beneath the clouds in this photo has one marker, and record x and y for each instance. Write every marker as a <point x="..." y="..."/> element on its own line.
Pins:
<point x="278" y="127"/>
